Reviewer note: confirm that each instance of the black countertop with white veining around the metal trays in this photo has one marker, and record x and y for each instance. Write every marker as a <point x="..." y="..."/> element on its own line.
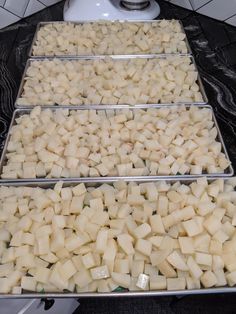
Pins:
<point x="214" y="47"/>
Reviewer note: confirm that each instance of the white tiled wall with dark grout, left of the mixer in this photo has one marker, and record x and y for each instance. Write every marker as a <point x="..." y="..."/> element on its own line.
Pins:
<point x="12" y="11"/>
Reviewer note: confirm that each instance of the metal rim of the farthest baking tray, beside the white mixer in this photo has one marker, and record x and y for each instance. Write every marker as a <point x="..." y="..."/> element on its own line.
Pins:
<point x="41" y="24"/>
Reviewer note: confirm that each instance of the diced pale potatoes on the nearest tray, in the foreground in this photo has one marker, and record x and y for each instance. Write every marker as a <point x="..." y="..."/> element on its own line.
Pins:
<point x="153" y="235"/>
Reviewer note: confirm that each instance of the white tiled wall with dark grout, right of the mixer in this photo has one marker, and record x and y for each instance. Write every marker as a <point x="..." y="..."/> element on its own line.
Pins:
<point x="223" y="10"/>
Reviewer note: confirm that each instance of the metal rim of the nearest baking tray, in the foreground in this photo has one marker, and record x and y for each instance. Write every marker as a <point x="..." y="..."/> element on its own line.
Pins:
<point x="33" y="295"/>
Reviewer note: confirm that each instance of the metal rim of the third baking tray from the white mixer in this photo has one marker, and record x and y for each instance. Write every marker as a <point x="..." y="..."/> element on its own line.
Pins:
<point x="19" y="112"/>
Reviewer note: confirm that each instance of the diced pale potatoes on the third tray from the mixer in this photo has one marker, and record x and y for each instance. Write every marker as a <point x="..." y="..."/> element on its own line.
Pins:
<point x="66" y="143"/>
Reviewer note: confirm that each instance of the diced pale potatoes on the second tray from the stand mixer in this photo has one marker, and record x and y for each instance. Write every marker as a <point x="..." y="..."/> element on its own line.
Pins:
<point x="111" y="81"/>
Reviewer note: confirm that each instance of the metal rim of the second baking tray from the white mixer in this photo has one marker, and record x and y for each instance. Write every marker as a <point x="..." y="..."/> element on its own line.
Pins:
<point x="161" y="56"/>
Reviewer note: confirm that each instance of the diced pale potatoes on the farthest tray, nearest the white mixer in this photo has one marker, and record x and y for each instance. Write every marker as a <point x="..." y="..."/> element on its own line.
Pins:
<point x="104" y="37"/>
